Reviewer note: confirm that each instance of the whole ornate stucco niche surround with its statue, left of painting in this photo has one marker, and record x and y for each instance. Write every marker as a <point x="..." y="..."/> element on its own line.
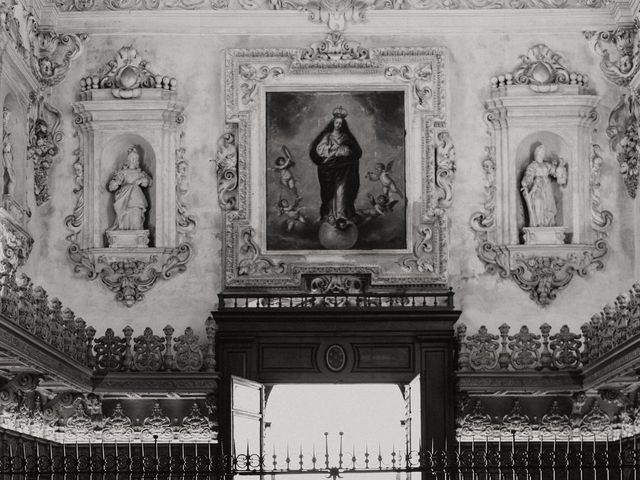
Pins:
<point x="132" y="165"/>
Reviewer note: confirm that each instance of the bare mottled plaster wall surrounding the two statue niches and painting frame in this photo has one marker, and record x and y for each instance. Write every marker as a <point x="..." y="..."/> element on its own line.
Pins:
<point x="197" y="61"/>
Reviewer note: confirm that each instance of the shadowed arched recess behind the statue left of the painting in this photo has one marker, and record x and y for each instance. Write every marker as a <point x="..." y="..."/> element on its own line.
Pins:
<point x="114" y="155"/>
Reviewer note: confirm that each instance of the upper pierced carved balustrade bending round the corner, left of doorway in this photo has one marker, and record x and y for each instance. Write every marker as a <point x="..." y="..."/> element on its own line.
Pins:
<point x="48" y="320"/>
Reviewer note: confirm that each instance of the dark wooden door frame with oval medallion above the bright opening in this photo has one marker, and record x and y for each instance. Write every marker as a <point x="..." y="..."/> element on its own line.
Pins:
<point x="392" y="346"/>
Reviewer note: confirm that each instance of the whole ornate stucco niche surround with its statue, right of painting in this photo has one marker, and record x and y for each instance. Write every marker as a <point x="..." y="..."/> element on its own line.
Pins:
<point x="544" y="171"/>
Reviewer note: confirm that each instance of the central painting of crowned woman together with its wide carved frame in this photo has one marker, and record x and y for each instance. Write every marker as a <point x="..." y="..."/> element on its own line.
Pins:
<point x="415" y="188"/>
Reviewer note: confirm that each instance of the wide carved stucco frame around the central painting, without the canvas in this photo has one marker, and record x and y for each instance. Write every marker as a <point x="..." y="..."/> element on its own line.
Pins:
<point x="415" y="71"/>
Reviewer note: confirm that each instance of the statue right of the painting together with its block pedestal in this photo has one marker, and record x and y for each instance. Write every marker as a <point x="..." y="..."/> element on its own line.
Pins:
<point x="537" y="190"/>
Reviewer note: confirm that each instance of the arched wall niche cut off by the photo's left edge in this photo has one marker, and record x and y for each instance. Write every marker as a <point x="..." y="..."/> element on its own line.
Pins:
<point x="16" y="129"/>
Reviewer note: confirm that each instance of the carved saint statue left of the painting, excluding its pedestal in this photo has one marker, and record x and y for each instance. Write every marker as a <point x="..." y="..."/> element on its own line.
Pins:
<point x="129" y="202"/>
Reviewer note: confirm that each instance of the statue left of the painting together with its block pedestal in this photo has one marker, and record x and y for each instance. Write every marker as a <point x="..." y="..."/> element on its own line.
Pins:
<point x="129" y="202"/>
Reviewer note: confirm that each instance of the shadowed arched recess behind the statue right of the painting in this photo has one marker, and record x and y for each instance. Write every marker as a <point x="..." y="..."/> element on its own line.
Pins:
<point x="557" y="152"/>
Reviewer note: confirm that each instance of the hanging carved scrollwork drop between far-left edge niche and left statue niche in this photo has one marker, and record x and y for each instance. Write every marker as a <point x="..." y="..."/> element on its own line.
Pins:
<point x="44" y="139"/>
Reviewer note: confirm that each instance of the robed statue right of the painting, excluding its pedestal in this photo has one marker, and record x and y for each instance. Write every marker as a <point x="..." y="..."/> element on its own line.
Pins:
<point x="537" y="188"/>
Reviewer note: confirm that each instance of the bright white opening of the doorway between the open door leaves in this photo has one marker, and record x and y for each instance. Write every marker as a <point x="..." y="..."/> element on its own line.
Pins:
<point x="370" y="416"/>
